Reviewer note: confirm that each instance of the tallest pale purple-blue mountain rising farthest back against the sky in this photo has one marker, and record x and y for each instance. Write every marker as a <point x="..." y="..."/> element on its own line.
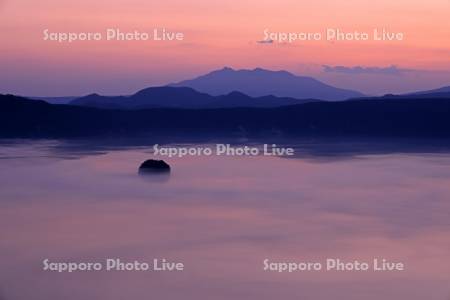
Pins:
<point x="260" y="82"/>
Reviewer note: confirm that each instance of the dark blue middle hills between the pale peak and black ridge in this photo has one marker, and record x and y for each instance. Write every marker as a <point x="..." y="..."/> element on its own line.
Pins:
<point x="181" y="97"/>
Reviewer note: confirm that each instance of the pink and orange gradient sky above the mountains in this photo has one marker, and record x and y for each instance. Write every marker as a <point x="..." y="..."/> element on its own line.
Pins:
<point x="218" y="33"/>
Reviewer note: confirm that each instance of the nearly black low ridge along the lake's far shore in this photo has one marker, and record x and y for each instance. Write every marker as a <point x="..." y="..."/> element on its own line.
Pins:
<point x="426" y="117"/>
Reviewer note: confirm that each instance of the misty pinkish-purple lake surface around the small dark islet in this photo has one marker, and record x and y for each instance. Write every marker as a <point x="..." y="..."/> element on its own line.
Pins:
<point x="221" y="217"/>
